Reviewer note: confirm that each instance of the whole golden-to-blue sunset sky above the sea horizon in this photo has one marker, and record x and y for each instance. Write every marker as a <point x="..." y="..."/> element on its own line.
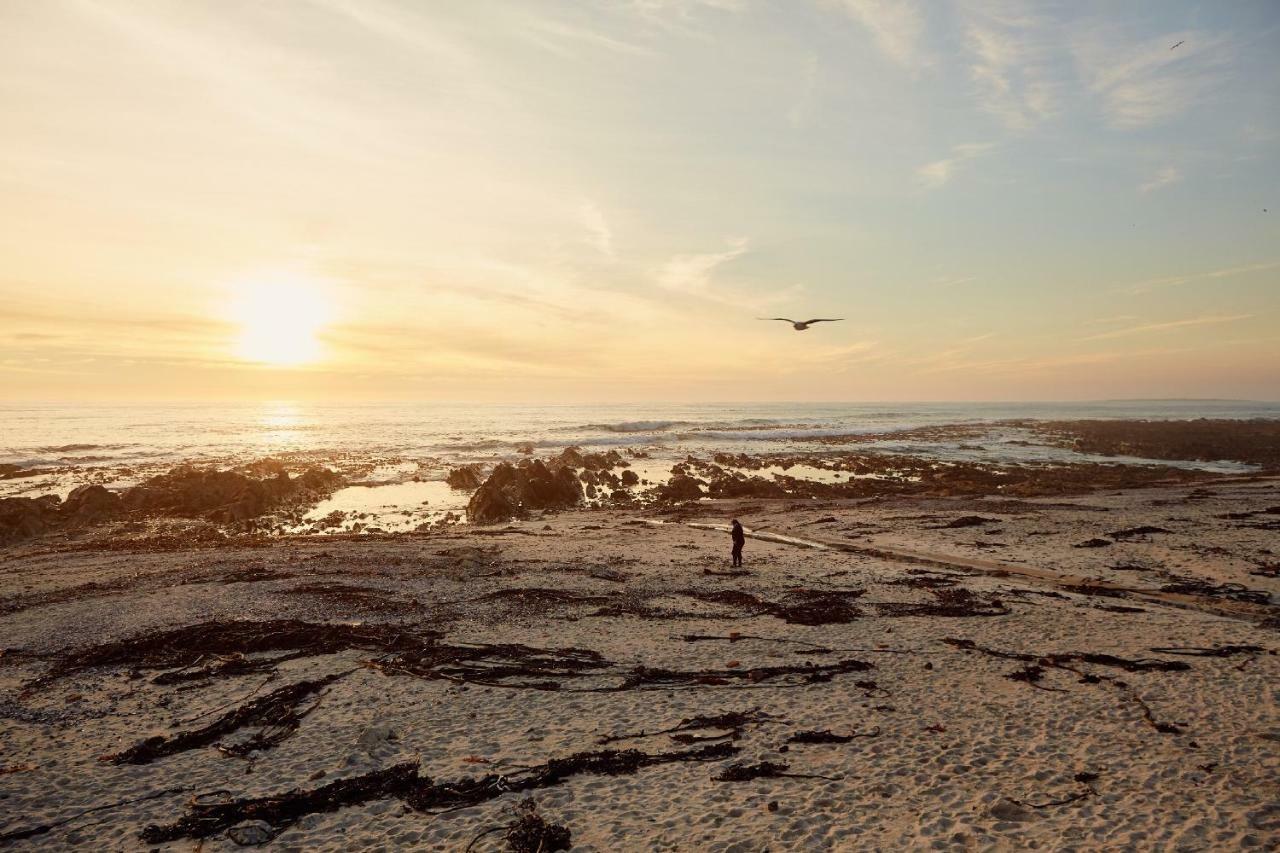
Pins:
<point x="545" y="202"/>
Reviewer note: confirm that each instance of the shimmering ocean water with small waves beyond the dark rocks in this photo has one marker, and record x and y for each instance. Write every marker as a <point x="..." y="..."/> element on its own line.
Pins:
<point x="404" y="451"/>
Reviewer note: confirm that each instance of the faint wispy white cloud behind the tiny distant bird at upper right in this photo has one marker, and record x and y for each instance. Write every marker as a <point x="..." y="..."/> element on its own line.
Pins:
<point x="1145" y="83"/>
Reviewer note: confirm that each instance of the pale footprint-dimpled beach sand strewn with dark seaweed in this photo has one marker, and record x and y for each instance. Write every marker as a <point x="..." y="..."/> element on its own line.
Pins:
<point x="1078" y="752"/>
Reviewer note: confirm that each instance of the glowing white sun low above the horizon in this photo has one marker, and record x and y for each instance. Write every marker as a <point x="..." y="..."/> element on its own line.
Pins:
<point x="281" y="318"/>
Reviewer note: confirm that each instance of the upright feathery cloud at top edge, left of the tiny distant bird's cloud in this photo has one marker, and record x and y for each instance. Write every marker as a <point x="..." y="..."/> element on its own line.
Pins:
<point x="1012" y="52"/>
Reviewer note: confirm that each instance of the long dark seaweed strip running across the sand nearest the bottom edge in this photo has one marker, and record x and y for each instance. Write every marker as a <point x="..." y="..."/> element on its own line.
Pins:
<point x="420" y="793"/>
